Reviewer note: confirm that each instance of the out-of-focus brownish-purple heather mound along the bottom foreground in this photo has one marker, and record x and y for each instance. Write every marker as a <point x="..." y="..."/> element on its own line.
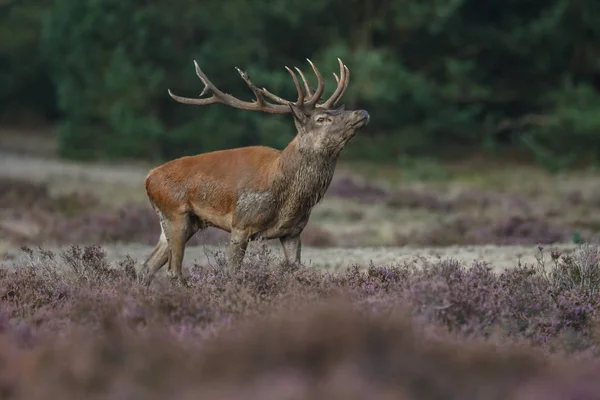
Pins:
<point x="322" y="351"/>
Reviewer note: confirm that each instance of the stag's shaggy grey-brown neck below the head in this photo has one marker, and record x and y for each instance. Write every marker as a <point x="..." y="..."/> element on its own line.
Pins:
<point x="303" y="176"/>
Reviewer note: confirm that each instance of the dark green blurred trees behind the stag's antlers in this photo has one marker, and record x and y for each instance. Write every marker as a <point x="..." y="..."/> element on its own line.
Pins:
<point x="435" y="75"/>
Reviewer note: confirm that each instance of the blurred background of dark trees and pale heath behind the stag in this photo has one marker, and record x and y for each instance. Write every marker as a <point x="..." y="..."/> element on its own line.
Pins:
<point x="484" y="114"/>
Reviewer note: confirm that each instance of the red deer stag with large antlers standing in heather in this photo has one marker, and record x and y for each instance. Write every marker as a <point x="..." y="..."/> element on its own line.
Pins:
<point x="253" y="192"/>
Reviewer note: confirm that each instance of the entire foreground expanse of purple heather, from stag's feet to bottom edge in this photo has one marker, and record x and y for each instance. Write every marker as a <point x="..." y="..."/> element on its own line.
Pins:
<point x="75" y="324"/>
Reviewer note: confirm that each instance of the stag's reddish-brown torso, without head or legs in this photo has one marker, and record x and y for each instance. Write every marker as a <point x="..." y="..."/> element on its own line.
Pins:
<point x="266" y="191"/>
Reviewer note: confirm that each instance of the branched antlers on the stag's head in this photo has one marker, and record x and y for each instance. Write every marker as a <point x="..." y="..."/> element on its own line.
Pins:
<point x="306" y="100"/>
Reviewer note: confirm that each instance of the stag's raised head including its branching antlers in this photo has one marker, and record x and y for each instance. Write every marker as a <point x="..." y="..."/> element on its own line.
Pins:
<point x="321" y="128"/>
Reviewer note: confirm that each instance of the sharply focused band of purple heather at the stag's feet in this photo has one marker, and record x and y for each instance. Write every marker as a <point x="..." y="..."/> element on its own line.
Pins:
<point x="470" y="301"/>
